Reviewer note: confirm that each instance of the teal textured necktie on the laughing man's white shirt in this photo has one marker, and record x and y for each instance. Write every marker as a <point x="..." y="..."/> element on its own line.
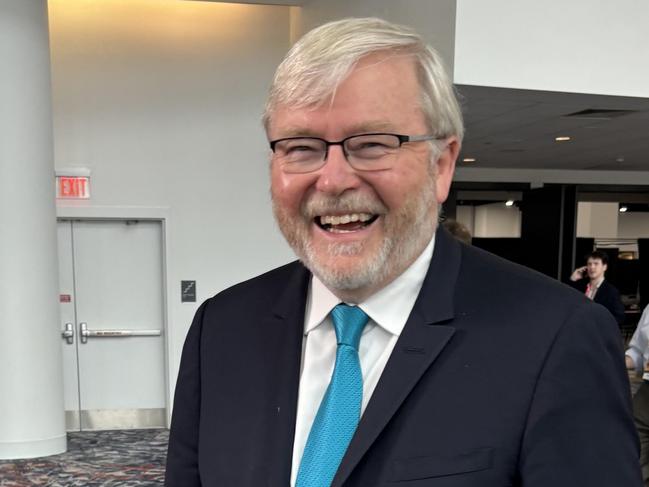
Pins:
<point x="340" y="409"/>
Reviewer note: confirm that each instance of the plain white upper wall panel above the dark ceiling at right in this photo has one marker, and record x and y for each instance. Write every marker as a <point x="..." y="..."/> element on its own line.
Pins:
<point x="580" y="46"/>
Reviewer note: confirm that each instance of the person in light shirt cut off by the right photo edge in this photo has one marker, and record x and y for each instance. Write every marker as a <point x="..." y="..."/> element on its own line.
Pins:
<point x="637" y="361"/>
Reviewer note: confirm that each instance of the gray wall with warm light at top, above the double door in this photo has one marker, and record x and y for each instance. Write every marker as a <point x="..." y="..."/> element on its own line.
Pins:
<point x="162" y="102"/>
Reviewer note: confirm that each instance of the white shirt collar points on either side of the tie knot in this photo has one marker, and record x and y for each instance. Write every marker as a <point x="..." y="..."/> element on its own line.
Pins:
<point x="389" y="307"/>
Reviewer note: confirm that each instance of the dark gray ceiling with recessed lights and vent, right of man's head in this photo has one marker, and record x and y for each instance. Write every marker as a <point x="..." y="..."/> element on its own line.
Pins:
<point x="507" y="128"/>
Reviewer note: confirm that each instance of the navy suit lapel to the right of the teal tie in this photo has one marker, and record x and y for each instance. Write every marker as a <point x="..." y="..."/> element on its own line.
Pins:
<point x="422" y="340"/>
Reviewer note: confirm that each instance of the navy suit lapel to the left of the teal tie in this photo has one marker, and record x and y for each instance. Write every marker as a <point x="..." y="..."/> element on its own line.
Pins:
<point x="283" y="335"/>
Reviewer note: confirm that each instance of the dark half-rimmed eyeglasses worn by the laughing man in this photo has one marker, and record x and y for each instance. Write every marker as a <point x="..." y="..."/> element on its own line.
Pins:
<point x="365" y="152"/>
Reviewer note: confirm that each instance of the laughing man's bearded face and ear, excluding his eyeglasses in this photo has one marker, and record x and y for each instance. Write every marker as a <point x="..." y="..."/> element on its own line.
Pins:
<point x="399" y="204"/>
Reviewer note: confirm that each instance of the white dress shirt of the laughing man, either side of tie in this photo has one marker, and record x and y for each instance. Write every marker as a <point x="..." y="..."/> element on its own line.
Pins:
<point x="388" y="310"/>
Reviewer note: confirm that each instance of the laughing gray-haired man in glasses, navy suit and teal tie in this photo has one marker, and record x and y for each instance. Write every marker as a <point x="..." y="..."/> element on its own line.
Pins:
<point x="390" y="353"/>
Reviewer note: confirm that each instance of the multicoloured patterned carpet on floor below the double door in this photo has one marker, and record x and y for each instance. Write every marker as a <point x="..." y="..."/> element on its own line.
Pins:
<point x="126" y="458"/>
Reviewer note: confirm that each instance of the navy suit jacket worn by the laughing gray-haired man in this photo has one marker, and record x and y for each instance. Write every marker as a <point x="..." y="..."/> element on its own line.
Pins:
<point x="501" y="377"/>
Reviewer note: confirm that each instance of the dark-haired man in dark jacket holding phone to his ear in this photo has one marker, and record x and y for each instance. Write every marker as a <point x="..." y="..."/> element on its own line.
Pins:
<point x="590" y="279"/>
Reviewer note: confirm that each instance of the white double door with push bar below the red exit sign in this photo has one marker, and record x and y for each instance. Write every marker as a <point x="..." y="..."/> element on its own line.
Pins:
<point x="112" y="333"/>
